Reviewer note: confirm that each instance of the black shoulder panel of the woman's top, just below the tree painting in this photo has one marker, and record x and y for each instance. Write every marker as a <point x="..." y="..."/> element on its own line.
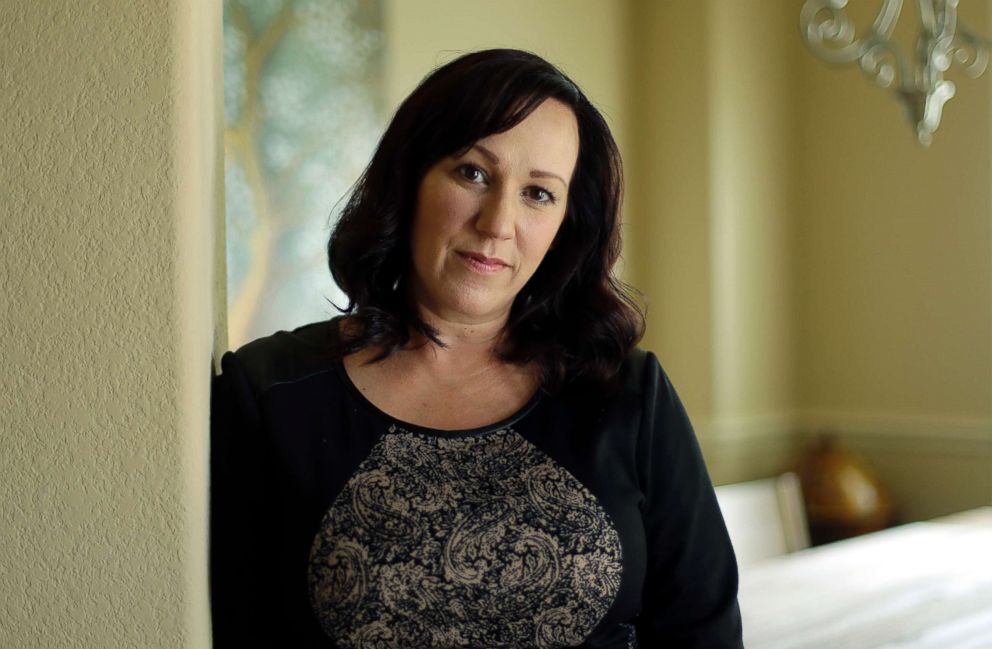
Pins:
<point x="286" y="356"/>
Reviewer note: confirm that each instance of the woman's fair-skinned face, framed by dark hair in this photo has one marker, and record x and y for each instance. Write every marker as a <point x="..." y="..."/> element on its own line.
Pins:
<point x="485" y="219"/>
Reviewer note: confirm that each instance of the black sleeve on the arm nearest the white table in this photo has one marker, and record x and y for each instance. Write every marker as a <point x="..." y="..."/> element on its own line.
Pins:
<point x="690" y="589"/>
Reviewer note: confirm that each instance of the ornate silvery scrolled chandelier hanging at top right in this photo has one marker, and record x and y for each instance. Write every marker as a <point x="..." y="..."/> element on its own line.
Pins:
<point x="919" y="82"/>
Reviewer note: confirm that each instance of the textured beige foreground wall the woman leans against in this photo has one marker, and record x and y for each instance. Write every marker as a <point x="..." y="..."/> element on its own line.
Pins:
<point x="103" y="523"/>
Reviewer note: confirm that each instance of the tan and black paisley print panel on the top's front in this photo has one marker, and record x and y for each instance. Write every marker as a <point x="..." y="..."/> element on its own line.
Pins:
<point x="443" y="542"/>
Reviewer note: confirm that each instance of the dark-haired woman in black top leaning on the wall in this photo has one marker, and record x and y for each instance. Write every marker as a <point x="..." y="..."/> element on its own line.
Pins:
<point x="475" y="455"/>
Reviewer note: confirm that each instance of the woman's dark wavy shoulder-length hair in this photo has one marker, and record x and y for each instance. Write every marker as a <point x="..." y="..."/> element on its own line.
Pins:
<point x="573" y="317"/>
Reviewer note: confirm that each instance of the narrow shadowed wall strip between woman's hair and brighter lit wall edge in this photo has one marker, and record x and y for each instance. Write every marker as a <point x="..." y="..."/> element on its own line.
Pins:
<point x="670" y="246"/>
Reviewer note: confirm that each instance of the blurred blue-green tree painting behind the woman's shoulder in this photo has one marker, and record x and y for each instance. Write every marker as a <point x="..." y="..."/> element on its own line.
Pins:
<point x="303" y="108"/>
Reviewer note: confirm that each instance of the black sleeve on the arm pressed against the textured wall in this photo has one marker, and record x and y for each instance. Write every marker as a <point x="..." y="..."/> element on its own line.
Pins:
<point x="237" y="503"/>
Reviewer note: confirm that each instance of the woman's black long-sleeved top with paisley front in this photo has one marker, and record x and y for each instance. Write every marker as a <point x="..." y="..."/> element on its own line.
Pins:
<point x="582" y="520"/>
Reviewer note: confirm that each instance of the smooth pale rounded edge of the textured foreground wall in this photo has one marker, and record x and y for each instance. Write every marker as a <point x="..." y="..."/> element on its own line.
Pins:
<point x="200" y="280"/>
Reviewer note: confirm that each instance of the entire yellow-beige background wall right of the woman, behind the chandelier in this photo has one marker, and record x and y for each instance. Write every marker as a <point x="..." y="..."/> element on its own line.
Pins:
<point x="808" y="266"/>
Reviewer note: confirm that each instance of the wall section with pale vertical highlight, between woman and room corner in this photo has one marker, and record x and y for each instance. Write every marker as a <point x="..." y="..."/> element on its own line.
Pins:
<point x="714" y="174"/>
